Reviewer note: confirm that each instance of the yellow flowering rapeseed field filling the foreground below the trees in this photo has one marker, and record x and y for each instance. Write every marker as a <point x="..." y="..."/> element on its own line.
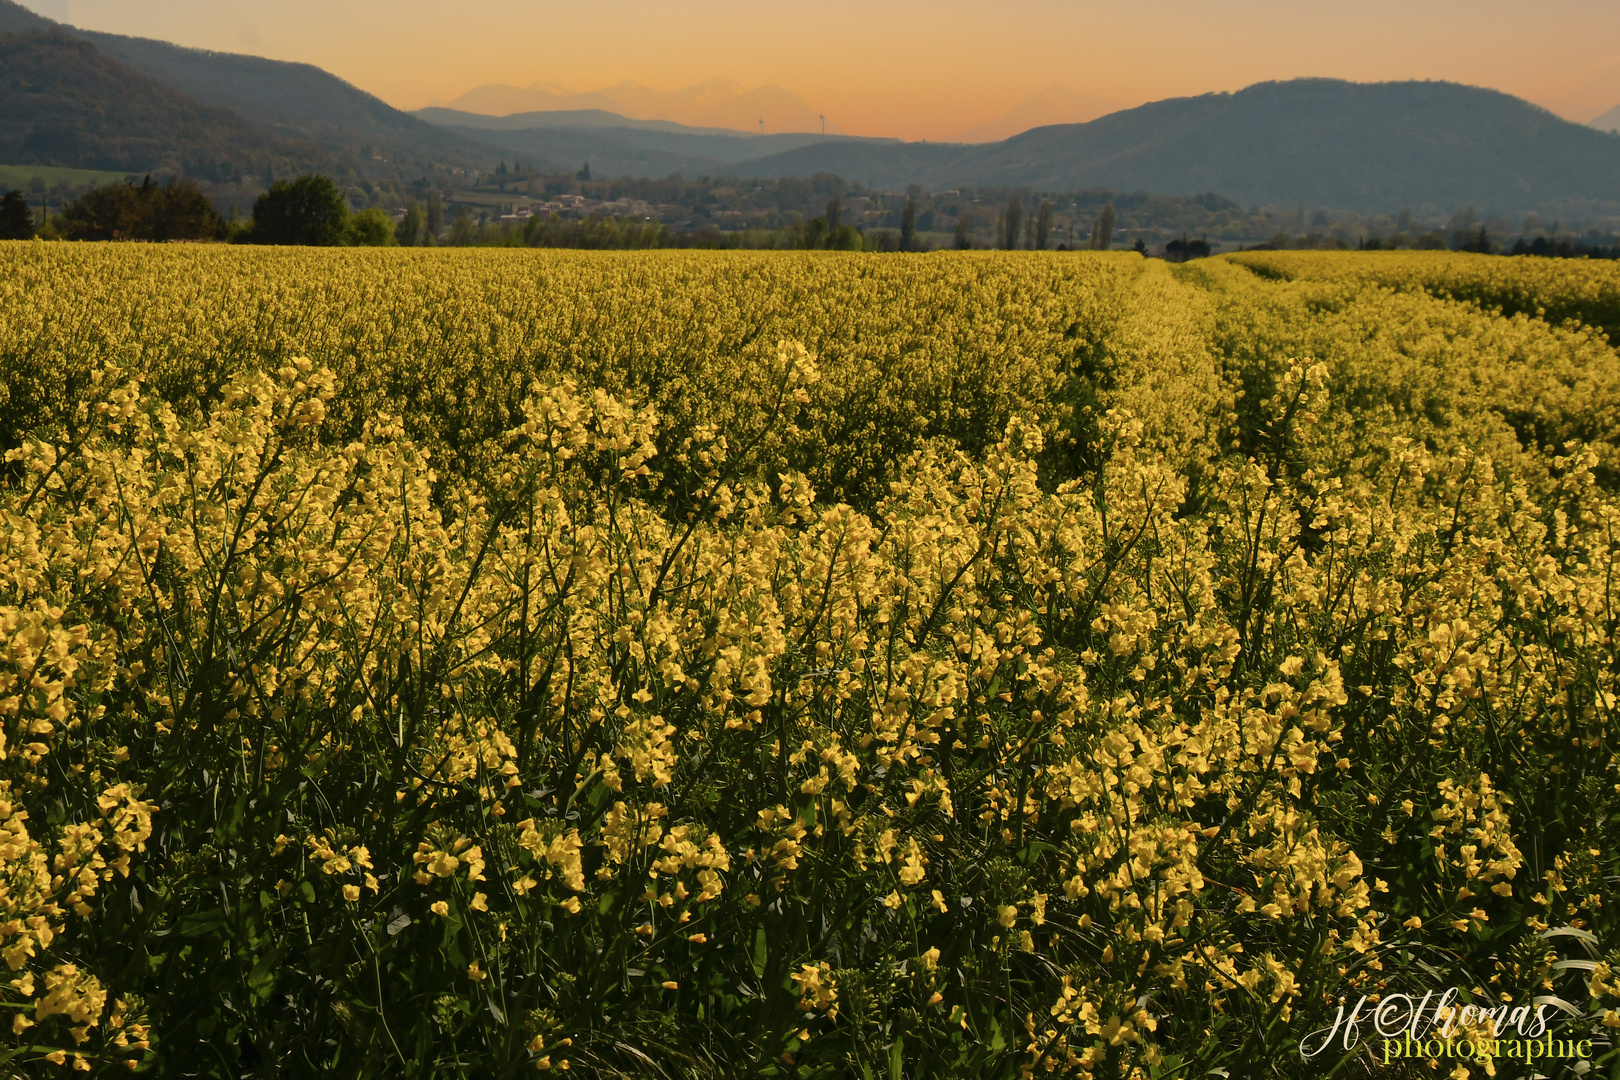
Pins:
<point x="701" y="665"/>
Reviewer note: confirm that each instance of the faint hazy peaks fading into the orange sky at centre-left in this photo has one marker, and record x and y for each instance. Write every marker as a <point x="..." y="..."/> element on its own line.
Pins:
<point x="712" y="104"/>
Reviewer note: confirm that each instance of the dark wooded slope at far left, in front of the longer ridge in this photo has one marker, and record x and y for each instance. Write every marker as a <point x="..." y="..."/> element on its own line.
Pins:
<point x="62" y="103"/>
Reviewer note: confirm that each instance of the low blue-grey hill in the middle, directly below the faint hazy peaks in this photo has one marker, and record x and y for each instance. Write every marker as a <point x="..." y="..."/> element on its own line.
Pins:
<point x="618" y="147"/>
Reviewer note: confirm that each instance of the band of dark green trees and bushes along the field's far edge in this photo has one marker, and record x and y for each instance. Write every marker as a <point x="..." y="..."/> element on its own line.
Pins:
<point x="315" y="211"/>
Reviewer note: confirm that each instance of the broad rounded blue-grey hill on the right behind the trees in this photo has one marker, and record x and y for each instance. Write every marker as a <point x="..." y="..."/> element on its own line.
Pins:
<point x="1323" y="142"/>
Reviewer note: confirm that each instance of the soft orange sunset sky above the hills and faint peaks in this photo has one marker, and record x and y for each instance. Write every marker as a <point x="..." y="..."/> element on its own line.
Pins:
<point x="900" y="67"/>
